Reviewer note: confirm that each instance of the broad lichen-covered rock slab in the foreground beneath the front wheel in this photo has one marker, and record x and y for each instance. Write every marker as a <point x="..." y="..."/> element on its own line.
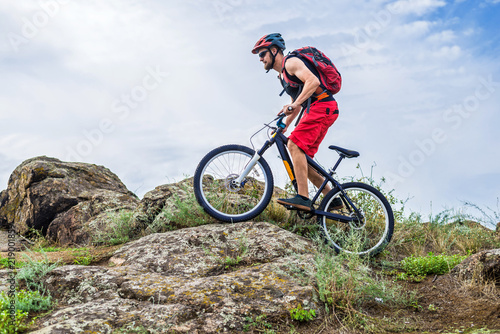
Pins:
<point x="205" y="279"/>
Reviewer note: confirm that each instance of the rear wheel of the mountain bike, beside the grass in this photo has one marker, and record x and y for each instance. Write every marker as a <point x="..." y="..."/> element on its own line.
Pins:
<point x="367" y="221"/>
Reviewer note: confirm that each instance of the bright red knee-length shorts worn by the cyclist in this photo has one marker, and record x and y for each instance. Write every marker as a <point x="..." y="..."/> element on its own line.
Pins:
<point x="313" y="126"/>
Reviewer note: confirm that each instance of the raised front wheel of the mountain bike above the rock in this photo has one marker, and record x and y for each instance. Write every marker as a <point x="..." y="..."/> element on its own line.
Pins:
<point x="220" y="196"/>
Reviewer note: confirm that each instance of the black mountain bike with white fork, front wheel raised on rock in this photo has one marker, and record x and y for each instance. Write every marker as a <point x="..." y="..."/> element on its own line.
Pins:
<point x="234" y="183"/>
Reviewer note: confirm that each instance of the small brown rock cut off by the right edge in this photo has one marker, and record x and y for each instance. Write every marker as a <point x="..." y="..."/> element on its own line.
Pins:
<point x="484" y="265"/>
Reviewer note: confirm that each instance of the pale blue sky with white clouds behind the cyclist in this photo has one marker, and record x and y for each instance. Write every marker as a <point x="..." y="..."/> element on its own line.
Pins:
<point x="146" y="88"/>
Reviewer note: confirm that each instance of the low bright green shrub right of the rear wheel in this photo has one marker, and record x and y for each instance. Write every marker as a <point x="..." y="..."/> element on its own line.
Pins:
<point x="430" y="264"/>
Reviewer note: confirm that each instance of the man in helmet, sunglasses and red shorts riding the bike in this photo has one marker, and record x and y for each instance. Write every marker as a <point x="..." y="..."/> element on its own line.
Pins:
<point x="321" y="111"/>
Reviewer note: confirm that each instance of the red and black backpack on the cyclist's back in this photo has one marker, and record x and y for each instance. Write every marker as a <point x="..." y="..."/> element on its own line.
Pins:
<point x="329" y="76"/>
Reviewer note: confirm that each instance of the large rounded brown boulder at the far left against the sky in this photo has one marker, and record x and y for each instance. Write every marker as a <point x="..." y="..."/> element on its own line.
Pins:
<point x="62" y="199"/>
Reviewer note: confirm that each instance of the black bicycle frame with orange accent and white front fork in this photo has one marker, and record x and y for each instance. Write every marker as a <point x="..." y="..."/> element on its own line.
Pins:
<point x="278" y="138"/>
